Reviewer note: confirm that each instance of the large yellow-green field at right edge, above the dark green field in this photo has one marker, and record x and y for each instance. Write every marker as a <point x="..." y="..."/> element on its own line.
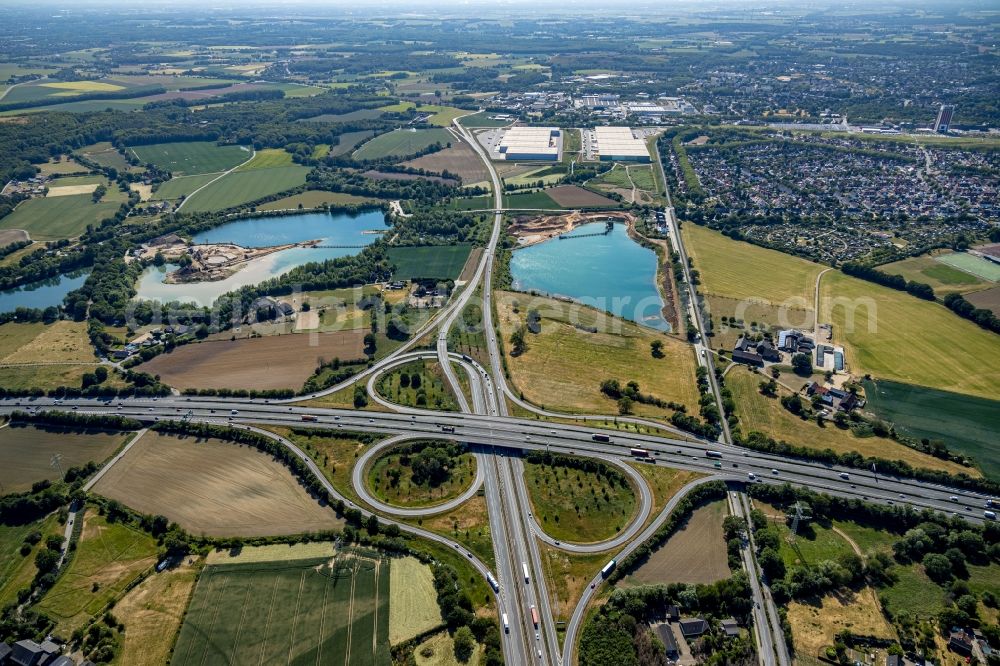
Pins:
<point x="892" y="335"/>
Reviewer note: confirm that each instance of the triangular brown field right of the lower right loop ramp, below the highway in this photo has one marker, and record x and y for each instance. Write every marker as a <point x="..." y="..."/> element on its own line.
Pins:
<point x="696" y="553"/>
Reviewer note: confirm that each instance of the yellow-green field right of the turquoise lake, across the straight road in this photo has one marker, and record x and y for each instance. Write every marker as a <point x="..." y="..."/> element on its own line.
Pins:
<point x="741" y="270"/>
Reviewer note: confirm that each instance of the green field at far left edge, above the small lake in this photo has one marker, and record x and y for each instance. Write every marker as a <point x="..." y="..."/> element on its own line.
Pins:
<point x="52" y="218"/>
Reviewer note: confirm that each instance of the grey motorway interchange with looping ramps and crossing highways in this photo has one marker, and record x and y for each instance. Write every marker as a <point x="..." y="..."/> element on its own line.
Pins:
<point x="498" y="440"/>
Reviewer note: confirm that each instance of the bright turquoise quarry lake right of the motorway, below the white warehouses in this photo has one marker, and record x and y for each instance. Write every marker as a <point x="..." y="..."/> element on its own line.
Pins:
<point x="610" y="272"/>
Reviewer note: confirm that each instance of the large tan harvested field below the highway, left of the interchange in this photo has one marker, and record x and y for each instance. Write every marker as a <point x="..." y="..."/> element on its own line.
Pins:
<point x="214" y="488"/>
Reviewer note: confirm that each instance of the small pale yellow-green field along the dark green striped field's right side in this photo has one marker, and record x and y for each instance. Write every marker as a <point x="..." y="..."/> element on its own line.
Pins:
<point x="413" y="605"/>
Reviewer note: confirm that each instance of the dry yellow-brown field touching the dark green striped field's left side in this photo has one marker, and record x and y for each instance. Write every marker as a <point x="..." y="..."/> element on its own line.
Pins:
<point x="152" y="613"/>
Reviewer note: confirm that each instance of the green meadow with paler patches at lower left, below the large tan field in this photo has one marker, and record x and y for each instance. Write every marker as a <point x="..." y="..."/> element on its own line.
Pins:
<point x="108" y="557"/>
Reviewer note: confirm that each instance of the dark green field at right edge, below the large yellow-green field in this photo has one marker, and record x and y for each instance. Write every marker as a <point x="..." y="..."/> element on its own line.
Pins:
<point x="966" y="424"/>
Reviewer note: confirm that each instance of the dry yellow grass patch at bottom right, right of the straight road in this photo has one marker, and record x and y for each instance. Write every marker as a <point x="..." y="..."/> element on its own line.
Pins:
<point x="815" y="627"/>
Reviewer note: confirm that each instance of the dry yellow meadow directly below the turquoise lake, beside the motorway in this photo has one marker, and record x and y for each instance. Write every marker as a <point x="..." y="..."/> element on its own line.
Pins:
<point x="565" y="364"/>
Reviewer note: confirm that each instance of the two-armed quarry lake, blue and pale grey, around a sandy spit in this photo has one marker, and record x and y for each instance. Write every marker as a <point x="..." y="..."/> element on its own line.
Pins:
<point x="330" y="228"/>
